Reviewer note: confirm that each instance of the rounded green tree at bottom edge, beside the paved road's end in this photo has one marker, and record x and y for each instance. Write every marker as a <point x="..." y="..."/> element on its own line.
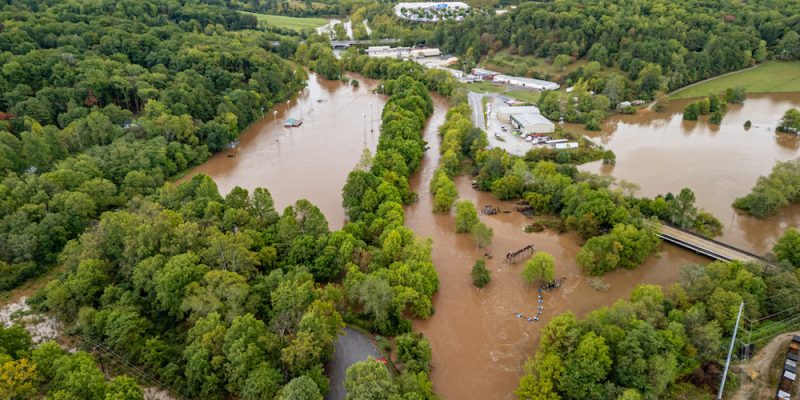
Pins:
<point x="369" y="380"/>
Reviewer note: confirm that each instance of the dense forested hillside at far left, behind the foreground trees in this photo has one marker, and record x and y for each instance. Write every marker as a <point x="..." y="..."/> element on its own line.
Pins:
<point x="105" y="101"/>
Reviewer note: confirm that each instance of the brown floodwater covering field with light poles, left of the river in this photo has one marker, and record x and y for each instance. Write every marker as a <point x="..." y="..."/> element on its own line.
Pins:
<point x="311" y="161"/>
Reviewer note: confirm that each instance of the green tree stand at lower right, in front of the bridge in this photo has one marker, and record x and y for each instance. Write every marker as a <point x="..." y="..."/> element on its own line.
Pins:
<point x="660" y="343"/>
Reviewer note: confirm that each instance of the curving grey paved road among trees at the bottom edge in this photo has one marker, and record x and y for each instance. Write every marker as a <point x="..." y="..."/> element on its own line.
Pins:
<point x="351" y="348"/>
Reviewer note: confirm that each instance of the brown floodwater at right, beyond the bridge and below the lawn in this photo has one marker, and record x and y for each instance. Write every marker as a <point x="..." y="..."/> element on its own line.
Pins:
<point x="662" y="153"/>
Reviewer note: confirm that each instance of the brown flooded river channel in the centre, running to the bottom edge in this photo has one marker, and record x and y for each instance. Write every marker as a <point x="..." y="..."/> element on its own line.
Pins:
<point x="478" y="343"/>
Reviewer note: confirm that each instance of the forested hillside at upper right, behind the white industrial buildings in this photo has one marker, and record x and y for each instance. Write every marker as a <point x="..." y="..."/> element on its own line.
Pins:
<point x="657" y="45"/>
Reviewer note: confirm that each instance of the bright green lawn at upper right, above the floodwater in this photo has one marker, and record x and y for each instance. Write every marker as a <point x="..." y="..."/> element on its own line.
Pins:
<point x="772" y="76"/>
